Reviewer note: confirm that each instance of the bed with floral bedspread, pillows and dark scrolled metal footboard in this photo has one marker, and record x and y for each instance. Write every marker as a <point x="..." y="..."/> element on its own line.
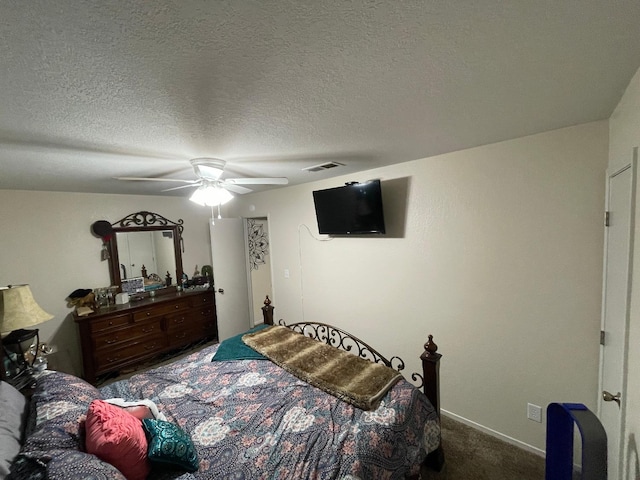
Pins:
<point x="233" y="417"/>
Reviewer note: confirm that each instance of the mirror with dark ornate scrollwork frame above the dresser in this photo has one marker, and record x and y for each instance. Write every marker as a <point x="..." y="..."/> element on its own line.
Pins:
<point x="145" y="244"/>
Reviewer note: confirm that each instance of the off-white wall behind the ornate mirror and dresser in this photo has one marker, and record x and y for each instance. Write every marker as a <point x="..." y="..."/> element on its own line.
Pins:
<point x="46" y="241"/>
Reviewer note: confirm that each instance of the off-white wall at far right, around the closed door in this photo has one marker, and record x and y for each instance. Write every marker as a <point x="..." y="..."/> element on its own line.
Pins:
<point x="624" y="135"/>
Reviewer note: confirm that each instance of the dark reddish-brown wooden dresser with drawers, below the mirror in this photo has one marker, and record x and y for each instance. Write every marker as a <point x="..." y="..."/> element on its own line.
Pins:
<point x="122" y="336"/>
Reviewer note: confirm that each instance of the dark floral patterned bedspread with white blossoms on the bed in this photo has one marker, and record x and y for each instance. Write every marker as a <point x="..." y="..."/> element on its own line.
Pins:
<point x="248" y="419"/>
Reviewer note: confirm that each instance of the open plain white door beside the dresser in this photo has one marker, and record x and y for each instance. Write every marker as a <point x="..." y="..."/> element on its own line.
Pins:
<point x="230" y="276"/>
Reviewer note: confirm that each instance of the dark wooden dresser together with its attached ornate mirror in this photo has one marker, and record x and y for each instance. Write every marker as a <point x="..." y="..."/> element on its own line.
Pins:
<point x="125" y="335"/>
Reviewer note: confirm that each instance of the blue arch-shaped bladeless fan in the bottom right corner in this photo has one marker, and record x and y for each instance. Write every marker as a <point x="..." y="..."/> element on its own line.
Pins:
<point x="561" y="419"/>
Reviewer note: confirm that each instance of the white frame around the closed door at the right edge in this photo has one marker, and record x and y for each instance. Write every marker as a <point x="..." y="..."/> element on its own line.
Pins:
<point x="625" y="354"/>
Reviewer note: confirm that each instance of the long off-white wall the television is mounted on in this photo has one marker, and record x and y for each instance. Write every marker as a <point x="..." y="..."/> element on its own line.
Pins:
<point x="497" y="251"/>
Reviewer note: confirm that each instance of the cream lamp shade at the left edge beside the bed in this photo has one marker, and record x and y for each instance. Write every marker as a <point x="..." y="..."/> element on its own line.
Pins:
<point x="18" y="309"/>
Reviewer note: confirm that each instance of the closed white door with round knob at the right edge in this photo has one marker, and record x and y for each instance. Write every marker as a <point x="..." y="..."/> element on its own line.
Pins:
<point x="615" y="310"/>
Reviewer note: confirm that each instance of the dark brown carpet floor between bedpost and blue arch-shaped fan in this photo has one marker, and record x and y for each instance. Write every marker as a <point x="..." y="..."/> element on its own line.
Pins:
<point x="474" y="455"/>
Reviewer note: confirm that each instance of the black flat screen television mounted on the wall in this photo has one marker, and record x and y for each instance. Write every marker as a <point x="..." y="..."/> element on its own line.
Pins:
<point x="353" y="209"/>
